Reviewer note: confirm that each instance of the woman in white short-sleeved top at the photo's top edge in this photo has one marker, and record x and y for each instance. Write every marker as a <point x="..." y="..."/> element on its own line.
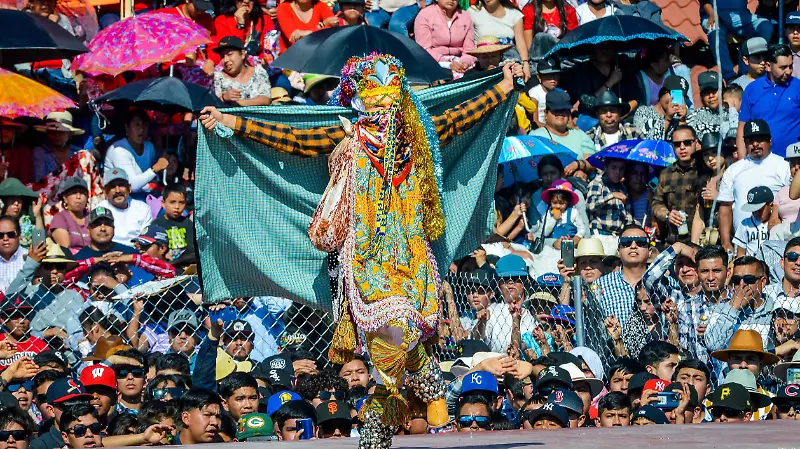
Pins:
<point x="500" y="18"/>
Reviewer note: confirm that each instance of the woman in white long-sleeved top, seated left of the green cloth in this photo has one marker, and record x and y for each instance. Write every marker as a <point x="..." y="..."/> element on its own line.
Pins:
<point x="136" y="154"/>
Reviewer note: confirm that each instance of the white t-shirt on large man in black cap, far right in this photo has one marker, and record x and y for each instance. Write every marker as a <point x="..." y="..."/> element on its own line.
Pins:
<point x="772" y="171"/>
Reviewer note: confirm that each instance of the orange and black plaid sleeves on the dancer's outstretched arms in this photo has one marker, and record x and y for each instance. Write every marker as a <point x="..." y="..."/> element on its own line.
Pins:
<point x="322" y="140"/>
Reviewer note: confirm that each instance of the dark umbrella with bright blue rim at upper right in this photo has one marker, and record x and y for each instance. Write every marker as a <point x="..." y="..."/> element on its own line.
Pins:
<point x="629" y="33"/>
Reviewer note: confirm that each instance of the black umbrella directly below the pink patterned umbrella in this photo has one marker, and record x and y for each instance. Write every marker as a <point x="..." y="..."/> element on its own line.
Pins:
<point x="163" y="94"/>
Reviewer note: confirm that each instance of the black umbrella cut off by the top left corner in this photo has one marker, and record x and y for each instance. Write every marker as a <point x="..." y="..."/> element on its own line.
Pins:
<point x="27" y="37"/>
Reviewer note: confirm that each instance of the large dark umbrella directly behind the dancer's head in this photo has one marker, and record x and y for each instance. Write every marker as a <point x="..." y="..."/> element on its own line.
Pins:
<point x="325" y="52"/>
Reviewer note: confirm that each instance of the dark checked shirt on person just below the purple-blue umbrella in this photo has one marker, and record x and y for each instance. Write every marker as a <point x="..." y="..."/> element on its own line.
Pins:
<point x="607" y="214"/>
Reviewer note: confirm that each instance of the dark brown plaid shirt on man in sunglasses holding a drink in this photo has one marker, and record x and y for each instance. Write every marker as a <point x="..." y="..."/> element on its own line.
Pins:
<point x="677" y="189"/>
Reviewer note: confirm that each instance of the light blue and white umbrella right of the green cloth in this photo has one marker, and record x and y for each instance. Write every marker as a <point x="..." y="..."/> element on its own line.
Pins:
<point x="521" y="155"/>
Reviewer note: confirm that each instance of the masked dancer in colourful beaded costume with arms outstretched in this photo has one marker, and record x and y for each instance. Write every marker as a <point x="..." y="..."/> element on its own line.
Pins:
<point x="380" y="212"/>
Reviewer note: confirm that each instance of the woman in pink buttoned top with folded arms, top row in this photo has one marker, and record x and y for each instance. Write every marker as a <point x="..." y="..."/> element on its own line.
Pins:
<point x="445" y="31"/>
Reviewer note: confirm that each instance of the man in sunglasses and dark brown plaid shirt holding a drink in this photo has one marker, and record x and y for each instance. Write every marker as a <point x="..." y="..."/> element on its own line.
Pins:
<point x="675" y="200"/>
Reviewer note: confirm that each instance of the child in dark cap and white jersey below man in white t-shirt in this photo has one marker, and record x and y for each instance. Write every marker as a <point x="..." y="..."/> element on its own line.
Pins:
<point x="753" y="231"/>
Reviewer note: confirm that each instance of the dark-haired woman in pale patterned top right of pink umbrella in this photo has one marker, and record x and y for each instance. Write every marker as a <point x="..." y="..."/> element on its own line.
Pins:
<point x="240" y="84"/>
